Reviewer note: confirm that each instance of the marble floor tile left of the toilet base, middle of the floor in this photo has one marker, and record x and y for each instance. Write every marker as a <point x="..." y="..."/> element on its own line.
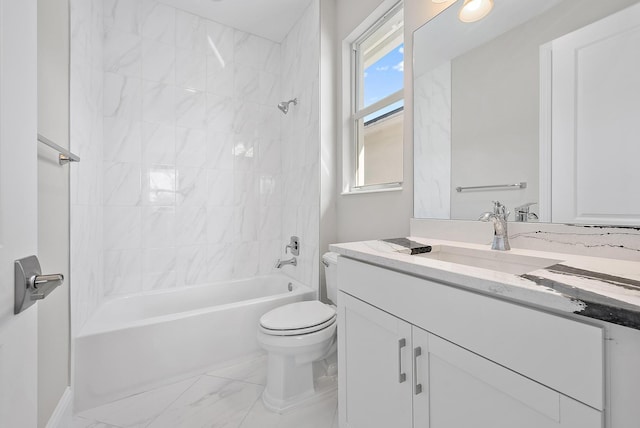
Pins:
<point x="210" y="402"/>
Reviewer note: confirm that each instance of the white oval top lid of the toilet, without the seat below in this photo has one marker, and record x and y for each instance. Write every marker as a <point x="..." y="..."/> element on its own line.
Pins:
<point x="299" y="315"/>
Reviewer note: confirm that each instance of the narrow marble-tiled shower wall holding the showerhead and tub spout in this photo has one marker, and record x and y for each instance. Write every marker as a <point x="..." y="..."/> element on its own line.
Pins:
<point x="301" y="142"/>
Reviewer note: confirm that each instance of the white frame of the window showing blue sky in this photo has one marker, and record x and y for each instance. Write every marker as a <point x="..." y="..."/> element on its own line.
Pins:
<point x="353" y="66"/>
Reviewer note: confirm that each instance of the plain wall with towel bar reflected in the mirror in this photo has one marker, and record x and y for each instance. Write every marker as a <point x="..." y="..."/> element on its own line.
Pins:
<point x="495" y="142"/>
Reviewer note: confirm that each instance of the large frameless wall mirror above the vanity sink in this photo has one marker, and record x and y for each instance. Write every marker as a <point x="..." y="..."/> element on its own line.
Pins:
<point x="537" y="105"/>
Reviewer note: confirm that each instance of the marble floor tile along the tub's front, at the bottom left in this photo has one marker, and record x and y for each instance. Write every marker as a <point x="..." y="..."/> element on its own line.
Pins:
<point x="140" y="409"/>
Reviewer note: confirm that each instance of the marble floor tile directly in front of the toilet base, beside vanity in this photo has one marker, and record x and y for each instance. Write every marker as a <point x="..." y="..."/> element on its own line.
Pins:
<point x="319" y="414"/>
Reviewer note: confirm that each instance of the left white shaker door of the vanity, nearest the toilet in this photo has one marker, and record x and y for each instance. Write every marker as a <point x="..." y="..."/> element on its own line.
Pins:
<point x="374" y="354"/>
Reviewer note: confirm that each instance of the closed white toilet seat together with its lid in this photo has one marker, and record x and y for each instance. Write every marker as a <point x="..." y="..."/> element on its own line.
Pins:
<point x="298" y="318"/>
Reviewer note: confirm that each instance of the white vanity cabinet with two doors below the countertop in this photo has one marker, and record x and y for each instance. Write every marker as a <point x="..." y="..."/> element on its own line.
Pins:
<point x="416" y="353"/>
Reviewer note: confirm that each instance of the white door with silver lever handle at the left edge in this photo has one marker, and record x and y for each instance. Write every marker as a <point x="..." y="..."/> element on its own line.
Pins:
<point x="18" y="213"/>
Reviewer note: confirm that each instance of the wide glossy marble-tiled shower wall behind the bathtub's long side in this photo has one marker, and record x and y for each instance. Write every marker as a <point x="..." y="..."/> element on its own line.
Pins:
<point x="192" y="167"/>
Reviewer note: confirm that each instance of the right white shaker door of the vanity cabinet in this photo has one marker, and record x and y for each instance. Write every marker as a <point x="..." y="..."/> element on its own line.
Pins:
<point x="467" y="390"/>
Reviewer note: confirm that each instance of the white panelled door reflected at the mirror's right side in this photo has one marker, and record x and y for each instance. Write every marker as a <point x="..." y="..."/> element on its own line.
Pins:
<point x="595" y="126"/>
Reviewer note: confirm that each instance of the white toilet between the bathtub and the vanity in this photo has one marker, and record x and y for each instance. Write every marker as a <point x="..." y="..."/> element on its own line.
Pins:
<point x="300" y="339"/>
